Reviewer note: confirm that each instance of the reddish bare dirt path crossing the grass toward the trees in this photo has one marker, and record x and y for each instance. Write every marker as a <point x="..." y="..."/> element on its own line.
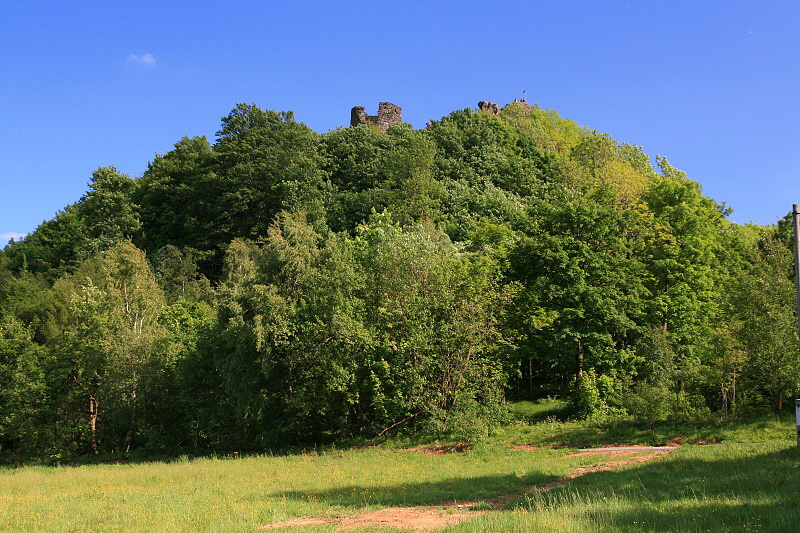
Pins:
<point x="432" y="517"/>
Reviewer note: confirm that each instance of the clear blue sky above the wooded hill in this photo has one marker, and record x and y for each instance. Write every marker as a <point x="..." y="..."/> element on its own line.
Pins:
<point x="712" y="85"/>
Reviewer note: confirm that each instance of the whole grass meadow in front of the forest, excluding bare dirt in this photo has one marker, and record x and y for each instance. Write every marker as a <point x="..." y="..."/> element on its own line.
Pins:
<point x="722" y="487"/>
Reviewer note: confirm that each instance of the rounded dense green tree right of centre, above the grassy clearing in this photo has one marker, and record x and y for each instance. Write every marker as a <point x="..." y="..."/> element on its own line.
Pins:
<point x="583" y="295"/>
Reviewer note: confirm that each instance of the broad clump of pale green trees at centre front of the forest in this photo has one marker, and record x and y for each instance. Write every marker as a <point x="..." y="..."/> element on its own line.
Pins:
<point x="353" y="335"/>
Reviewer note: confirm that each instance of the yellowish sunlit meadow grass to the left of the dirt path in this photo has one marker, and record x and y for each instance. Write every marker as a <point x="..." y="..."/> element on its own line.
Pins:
<point x="240" y="494"/>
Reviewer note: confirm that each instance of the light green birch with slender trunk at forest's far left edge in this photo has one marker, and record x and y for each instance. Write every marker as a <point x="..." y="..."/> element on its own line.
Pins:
<point x="100" y="350"/>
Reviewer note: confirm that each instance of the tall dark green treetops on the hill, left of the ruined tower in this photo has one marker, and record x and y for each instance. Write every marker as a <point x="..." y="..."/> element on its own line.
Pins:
<point x="202" y="196"/>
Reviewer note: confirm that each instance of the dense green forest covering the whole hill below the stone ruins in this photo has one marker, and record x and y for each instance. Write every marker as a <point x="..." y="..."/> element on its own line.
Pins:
<point x="281" y="286"/>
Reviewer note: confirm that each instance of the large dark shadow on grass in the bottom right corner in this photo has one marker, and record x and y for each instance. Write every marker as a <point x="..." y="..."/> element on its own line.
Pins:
<point x="713" y="488"/>
